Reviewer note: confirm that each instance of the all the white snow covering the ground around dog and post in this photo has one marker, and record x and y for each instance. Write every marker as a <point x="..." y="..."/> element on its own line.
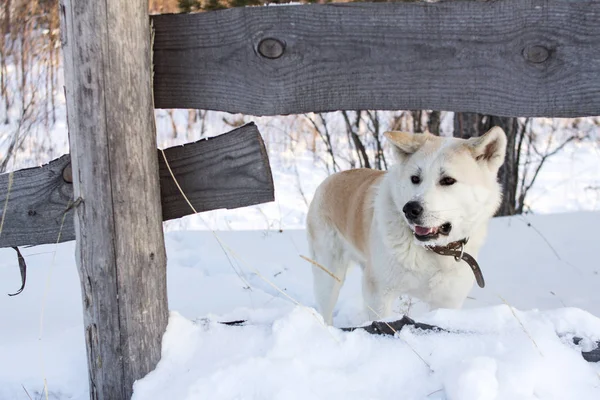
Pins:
<point x="538" y="264"/>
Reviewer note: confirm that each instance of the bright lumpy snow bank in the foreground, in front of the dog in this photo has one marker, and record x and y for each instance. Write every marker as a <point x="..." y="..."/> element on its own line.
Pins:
<point x="296" y="357"/>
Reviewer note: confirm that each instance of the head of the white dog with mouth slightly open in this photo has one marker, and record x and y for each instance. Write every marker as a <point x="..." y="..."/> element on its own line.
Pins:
<point x="445" y="187"/>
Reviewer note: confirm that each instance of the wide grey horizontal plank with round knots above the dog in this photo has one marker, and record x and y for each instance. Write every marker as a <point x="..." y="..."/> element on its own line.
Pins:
<point x="505" y="57"/>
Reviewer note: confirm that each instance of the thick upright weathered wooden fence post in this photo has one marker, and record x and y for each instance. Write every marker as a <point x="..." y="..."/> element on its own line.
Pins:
<point x="118" y="223"/>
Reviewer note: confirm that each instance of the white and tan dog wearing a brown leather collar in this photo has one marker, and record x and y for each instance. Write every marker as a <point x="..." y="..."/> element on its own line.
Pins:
<point x="441" y="190"/>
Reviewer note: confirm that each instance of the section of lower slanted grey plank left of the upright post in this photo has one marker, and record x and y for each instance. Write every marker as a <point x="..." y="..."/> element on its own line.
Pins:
<point x="37" y="202"/>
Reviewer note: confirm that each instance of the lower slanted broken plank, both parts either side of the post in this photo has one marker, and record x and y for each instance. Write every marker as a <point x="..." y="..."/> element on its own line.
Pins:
<point x="227" y="171"/>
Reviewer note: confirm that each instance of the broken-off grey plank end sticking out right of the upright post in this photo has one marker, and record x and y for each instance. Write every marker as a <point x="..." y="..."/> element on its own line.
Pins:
<point x="226" y="171"/>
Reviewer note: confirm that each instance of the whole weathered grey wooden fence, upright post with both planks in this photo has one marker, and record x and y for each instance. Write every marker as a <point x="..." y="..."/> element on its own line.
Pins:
<point x="506" y="57"/>
